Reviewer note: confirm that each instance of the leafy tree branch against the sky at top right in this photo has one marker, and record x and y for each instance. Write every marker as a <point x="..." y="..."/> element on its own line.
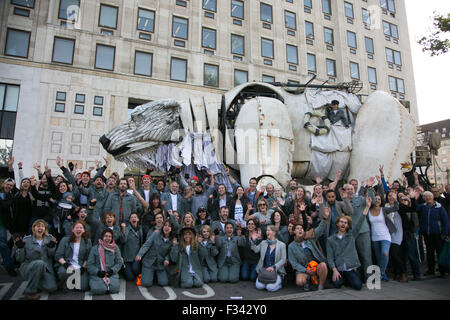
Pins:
<point x="436" y="43"/>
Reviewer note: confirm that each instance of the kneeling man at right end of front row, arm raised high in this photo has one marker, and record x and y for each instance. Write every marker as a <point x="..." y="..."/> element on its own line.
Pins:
<point x="342" y="256"/>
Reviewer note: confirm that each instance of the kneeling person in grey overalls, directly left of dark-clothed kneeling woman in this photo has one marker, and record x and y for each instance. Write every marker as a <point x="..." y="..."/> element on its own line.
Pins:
<point x="229" y="259"/>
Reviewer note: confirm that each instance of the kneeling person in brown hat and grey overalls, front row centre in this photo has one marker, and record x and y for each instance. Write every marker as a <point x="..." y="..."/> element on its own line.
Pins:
<point x="186" y="255"/>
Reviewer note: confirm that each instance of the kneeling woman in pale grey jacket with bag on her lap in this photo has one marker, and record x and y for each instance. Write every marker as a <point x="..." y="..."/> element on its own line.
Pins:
<point x="272" y="258"/>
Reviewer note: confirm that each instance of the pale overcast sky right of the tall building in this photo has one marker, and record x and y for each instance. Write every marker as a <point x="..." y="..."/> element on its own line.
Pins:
<point x="431" y="74"/>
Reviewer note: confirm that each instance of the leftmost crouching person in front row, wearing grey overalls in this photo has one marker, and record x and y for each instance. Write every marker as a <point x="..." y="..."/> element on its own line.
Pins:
<point x="35" y="253"/>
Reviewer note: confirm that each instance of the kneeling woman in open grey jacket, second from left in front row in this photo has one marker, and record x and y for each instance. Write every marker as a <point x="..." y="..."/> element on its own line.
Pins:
<point x="66" y="265"/>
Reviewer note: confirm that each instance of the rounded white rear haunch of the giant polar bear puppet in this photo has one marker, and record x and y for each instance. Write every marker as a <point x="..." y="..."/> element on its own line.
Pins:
<point x="385" y="134"/>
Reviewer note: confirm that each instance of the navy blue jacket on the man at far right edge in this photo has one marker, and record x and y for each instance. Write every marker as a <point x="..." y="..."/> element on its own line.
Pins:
<point x="433" y="219"/>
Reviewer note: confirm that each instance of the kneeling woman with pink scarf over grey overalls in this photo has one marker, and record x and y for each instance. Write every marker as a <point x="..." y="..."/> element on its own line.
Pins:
<point x="103" y="275"/>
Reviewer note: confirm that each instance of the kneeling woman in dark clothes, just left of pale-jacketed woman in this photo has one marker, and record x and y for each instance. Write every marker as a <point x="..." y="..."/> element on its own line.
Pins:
<point x="249" y="258"/>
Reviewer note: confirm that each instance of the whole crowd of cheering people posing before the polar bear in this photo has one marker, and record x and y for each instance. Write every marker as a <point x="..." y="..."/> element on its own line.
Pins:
<point x="187" y="231"/>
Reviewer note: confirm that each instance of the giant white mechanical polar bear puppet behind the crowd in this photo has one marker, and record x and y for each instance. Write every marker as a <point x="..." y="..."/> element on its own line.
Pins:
<point x="264" y="135"/>
